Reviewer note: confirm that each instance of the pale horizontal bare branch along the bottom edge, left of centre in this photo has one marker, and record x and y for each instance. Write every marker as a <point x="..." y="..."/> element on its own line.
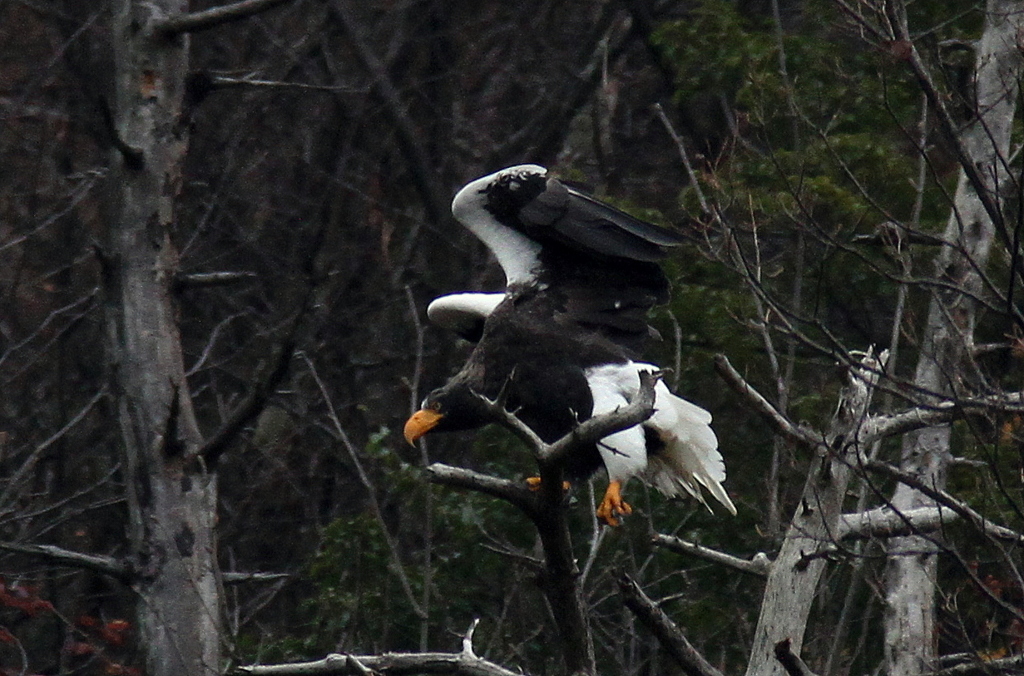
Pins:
<point x="459" y="664"/>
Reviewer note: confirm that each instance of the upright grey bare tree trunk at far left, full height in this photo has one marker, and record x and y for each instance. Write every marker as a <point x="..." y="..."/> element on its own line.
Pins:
<point x="172" y="497"/>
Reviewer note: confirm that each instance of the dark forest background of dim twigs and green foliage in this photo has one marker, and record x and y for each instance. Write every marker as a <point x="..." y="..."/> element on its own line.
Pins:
<point x="326" y="142"/>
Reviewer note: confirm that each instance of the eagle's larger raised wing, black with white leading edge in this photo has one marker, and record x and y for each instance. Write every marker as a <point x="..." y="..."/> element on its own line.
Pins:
<point x="595" y="267"/>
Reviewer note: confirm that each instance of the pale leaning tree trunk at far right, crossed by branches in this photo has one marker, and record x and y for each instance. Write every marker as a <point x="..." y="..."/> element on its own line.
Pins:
<point x="944" y="364"/>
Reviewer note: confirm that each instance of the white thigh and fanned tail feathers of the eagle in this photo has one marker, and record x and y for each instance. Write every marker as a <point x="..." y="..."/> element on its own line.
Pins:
<point x="690" y="459"/>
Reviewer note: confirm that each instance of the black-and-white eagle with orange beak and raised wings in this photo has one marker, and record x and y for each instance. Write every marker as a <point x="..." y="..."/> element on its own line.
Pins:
<point x="563" y="343"/>
